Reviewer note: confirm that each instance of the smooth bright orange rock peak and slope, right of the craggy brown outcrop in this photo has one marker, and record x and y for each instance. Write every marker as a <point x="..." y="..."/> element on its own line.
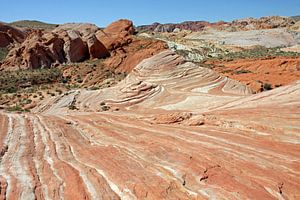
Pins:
<point x="127" y="50"/>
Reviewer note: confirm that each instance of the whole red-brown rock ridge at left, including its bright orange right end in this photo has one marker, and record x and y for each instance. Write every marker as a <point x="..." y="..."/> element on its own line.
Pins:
<point x="69" y="43"/>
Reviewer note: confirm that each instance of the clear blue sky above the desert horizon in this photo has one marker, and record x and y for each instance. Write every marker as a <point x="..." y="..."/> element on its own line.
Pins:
<point x="143" y="11"/>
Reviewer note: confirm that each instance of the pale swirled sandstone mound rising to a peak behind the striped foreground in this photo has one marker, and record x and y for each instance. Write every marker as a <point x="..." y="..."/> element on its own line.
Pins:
<point x="162" y="81"/>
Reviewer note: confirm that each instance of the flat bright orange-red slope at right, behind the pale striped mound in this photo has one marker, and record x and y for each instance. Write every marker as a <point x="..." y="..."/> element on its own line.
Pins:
<point x="277" y="71"/>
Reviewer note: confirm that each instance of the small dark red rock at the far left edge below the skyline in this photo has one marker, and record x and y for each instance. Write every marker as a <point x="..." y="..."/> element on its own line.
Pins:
<point x="9" y="35"/>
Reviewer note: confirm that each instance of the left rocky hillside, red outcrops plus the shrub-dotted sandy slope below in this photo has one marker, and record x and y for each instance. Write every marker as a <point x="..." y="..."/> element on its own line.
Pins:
<point x="46" y="63"/>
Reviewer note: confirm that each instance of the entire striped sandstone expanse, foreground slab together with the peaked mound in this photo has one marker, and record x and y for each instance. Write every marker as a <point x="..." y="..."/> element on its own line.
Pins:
<point x="160" y="144"/>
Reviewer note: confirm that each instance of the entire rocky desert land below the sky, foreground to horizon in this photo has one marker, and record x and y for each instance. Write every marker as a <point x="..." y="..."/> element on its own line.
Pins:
<point x="90" y="113"/>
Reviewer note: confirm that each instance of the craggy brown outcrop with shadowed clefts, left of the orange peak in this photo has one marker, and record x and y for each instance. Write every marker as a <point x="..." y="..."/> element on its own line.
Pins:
<point x="66" y="44"/>
